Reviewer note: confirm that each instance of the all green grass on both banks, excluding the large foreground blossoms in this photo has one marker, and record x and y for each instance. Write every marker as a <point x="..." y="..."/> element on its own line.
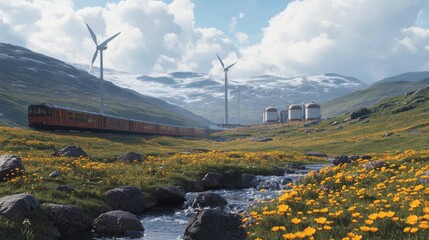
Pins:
<point x="172" y="161"/>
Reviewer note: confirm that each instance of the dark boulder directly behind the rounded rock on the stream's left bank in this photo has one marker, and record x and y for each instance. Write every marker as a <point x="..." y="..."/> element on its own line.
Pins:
<point x="127" y="198"/>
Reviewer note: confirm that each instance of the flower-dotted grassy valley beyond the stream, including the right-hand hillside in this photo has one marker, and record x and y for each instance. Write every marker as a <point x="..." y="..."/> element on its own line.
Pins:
<point x="92" y="177"/>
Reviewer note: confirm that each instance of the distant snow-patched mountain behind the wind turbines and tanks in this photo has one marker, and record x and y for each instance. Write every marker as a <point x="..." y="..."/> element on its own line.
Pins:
<point x="203" y="94"/>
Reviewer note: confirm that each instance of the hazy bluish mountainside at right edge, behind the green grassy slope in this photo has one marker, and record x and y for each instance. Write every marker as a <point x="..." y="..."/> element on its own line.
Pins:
<point x="388" y="87"/>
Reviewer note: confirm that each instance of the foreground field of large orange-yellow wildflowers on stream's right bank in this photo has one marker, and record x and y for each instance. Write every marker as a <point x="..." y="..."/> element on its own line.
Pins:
<point x="351" y="201"/>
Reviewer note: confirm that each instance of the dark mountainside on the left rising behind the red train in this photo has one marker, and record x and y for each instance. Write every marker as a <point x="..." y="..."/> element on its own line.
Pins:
<point x="28" y="78"/>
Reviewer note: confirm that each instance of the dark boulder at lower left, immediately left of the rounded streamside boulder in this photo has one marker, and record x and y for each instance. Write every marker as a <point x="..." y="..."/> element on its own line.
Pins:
<point x="68" y="219"/>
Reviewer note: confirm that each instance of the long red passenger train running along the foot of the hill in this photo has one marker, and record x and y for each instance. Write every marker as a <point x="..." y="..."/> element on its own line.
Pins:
<point x="51" y="117"/>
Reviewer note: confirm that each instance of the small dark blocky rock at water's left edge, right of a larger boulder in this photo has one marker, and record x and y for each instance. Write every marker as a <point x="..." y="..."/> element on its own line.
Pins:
<point x="170" y="197"/>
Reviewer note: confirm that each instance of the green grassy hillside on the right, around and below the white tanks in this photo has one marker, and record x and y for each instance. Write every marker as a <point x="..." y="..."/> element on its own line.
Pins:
<point x="410" y="128"/>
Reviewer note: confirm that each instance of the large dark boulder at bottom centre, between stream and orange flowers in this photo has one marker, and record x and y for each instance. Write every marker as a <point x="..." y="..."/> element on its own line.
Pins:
<point x="212" y="224"/>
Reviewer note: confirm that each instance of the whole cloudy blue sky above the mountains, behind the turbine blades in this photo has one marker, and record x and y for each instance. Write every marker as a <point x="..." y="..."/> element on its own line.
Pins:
<point x="366" y="39"/>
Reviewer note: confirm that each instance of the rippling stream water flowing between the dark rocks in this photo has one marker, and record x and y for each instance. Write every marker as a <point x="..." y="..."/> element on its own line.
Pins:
<point x="170" y="225"/>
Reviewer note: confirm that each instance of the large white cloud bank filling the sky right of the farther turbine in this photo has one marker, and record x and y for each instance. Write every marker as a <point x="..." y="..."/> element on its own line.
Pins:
<point x="362" y="38"/>
